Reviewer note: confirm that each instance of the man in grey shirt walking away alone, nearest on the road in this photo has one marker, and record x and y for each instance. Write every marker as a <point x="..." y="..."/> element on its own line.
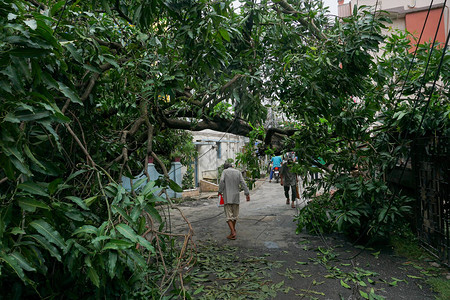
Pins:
<point x="230" y="181"/>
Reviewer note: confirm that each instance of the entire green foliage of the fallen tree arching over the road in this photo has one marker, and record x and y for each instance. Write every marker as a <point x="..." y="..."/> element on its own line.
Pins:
<point x="90" y="90"/>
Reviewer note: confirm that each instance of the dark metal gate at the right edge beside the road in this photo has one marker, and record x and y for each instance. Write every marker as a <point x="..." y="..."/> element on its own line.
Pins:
<point x="431" y="163"/>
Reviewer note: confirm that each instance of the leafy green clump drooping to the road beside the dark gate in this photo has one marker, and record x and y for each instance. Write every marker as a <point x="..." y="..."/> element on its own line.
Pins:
<point x="364" y="129"/>
